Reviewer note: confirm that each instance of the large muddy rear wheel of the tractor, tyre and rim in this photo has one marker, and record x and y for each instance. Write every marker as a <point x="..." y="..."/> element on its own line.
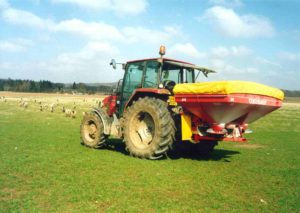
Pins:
<point x="149" y="129"/>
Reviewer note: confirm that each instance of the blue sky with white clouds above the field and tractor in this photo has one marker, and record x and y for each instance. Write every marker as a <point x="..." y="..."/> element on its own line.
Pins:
<point x="74" y="40"/>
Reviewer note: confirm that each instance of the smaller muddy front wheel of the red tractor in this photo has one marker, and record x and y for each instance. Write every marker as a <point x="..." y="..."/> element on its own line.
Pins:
<point x="92" y="131"/>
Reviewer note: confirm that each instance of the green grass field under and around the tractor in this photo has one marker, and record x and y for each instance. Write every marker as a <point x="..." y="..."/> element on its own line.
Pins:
<point x="45" y="169"/>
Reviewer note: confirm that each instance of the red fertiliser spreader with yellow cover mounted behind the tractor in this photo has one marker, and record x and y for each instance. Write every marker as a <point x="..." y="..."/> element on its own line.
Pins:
<point x="222" y="110"/>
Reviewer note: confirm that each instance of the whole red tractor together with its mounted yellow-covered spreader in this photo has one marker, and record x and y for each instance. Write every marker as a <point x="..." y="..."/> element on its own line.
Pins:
<point x="158" y="103"/>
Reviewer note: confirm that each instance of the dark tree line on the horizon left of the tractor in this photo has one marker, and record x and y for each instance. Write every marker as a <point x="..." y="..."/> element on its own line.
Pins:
<point x="49" y="87"/>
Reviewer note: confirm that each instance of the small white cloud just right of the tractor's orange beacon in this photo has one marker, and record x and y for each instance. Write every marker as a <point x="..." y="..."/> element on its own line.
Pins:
<point x="186" y="49"/>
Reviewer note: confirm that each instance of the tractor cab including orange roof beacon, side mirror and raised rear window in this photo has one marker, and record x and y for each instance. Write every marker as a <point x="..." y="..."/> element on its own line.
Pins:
<point x="152" y="77"/>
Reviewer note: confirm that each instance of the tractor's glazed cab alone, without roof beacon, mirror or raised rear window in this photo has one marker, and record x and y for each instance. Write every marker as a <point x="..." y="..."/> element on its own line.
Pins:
<point x="153" y="76"/>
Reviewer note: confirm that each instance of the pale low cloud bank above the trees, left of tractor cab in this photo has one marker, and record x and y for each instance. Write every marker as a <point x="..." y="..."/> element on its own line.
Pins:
<point x="88" y="64"/>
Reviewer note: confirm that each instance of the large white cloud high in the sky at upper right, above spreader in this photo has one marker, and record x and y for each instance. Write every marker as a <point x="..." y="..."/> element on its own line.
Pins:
<point x="228" y="23"/>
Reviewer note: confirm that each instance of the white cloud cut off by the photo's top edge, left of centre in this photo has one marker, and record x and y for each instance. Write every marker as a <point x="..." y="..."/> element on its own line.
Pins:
<point x="119" y="7"/>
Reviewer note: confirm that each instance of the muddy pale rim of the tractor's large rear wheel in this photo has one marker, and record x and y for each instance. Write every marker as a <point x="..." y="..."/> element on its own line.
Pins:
<point x="142" y="130"/>
